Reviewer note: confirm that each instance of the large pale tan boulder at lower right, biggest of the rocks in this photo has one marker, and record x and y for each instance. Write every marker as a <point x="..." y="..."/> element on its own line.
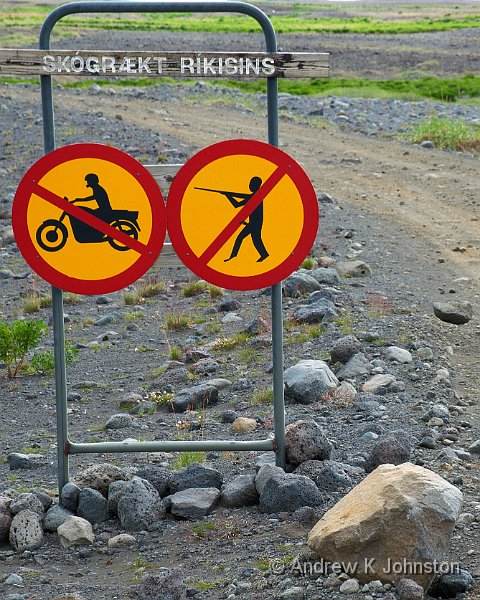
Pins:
<point x="395" y="524"/>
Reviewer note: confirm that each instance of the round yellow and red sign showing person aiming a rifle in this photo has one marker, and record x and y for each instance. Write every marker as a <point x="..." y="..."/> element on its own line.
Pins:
<point x="242" y="214"/>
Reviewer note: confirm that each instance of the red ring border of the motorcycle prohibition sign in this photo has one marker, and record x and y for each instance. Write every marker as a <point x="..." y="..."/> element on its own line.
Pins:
<point x="46" y="271"/>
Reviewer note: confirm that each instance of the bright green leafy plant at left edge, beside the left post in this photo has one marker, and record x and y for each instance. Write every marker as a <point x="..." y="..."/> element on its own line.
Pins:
<point x="16" y="340"/>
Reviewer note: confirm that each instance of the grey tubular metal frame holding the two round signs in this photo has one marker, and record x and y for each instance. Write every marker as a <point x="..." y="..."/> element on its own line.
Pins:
<point x="65" y="447"/>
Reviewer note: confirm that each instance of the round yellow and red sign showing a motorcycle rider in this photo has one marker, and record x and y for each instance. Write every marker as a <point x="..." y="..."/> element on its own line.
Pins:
<point x="89" y="218"/>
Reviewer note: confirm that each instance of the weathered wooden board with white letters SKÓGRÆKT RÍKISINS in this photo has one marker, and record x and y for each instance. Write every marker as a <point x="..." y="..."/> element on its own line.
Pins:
<point x="232" y="65"/>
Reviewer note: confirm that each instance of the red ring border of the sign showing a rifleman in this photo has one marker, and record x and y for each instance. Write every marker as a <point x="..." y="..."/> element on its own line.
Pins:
<point x="250" y="148"/>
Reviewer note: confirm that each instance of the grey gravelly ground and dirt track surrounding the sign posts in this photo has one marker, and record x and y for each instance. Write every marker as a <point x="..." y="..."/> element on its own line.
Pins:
<point x="390" y="205"/>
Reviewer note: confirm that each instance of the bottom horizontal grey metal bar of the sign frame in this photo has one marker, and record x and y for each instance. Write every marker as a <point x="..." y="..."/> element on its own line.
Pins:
<point x="171" y="446"/>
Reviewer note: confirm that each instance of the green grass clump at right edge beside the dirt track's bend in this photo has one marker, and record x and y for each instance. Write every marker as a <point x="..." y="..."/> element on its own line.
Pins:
<point x="448" y="134"/>
